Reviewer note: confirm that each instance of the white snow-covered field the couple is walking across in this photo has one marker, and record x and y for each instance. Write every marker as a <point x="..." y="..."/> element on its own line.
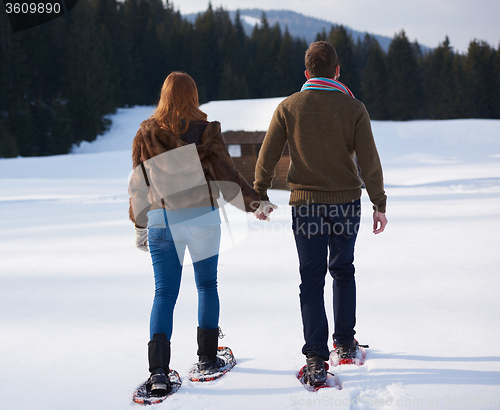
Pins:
<point x="75" y="294"/>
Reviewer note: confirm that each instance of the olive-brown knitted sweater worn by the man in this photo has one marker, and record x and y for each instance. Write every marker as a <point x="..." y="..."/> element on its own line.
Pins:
<point x="324" y="130"/>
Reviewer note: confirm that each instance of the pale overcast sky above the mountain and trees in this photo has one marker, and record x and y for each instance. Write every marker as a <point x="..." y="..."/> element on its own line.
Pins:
<point x="427" y="21"/>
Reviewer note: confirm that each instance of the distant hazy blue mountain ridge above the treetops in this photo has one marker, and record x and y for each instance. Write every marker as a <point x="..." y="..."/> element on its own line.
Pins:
<point x="298" y="24"/>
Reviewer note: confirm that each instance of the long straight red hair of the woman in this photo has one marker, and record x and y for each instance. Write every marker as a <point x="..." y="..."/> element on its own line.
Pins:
<point x="178" y="104"/>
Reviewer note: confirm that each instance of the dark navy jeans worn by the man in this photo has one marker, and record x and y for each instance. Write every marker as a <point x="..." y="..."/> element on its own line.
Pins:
<point x="325" y="236"/>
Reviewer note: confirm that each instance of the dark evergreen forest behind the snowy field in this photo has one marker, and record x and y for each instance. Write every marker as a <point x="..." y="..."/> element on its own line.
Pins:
<point x="59" y="81"/>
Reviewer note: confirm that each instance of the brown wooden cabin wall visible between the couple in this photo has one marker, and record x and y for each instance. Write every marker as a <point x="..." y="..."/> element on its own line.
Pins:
<point x="244" y="148"/>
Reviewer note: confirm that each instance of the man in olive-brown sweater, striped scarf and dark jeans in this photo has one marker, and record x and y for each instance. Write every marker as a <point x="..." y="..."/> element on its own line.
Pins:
<point x="325" y="128"/>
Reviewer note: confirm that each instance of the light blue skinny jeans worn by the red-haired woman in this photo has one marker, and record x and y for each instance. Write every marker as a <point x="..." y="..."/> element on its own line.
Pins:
<point x="167" y="247"/>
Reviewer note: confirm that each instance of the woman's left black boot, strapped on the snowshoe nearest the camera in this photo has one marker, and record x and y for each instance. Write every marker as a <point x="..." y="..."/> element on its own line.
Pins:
<point x="159" y="362"/>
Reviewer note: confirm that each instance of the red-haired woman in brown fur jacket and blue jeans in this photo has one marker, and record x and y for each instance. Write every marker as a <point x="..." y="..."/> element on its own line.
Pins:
<point x="173" y="205"/>
